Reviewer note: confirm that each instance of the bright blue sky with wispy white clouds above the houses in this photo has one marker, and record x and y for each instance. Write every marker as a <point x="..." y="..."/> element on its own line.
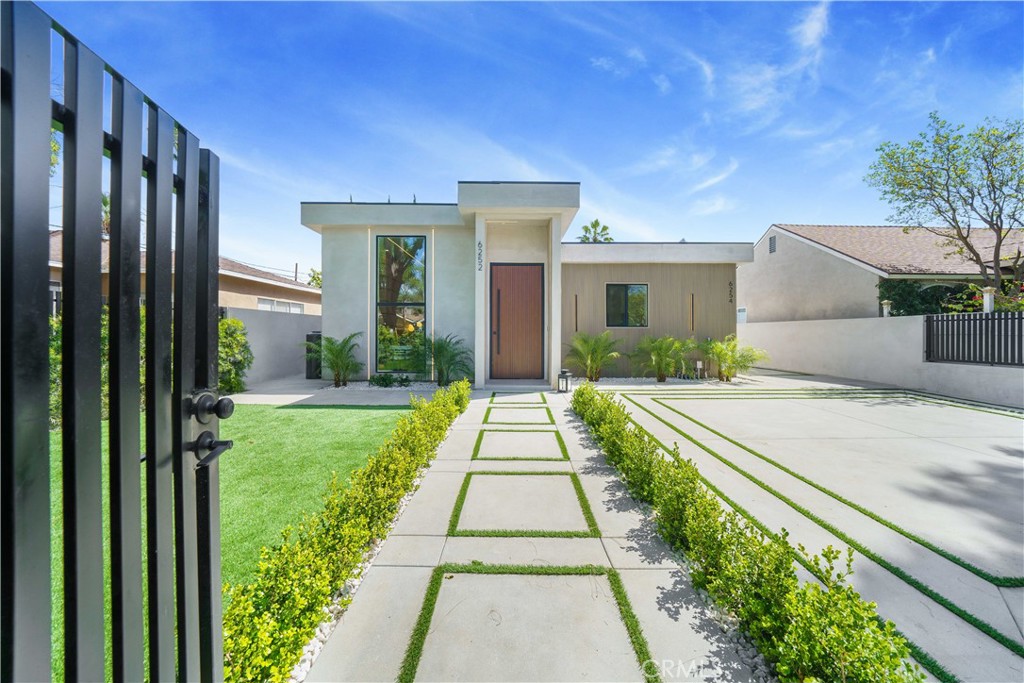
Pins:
<point x="697" y="121"/>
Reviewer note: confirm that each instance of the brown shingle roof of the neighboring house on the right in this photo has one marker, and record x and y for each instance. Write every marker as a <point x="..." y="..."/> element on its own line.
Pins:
<point x="900" y="251"/>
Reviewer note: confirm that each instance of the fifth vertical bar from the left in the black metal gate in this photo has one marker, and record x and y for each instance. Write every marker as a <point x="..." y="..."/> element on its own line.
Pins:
<point x="186" y="546"/>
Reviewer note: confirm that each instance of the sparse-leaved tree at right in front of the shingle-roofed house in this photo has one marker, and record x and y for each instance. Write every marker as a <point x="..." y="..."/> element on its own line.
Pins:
<point x="966" y="189"/>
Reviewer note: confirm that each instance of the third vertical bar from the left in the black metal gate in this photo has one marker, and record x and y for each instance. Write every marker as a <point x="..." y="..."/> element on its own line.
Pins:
<point x="126" y="495"/>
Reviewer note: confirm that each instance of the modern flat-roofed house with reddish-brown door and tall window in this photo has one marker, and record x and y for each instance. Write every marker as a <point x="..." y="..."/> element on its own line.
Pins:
<point x="492" y="269"/>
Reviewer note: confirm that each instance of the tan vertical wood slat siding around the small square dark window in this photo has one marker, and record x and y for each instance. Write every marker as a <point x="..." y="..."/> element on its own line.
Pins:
<point x="669" y="291"/>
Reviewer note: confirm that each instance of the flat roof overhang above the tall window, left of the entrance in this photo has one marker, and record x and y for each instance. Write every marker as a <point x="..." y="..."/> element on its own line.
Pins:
<point x="318" y="216"/>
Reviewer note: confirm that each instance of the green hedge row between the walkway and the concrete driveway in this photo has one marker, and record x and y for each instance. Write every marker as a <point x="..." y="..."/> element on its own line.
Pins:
<point x="808" y="632"/>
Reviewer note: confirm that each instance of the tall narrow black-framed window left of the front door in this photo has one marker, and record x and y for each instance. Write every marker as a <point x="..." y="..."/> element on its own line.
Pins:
<point x="402" y="309"/>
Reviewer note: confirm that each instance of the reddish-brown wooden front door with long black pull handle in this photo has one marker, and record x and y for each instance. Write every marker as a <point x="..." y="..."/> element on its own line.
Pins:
<point x="518" y="322"/>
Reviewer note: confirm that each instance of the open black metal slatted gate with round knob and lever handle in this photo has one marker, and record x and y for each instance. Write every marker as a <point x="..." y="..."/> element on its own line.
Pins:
<point x="165" y="611"/>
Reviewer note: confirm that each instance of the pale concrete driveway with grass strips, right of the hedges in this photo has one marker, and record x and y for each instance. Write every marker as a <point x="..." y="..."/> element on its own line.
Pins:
<point x="932" y="490"/>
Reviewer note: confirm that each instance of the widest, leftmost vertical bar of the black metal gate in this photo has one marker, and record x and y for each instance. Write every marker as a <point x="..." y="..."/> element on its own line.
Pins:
<point x="25" y="480"/>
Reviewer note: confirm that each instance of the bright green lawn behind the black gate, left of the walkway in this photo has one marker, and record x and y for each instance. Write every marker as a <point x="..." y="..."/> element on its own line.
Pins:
<point x="279" y="469"/>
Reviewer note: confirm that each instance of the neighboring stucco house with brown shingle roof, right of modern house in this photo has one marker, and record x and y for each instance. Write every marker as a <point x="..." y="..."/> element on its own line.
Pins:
<point x="805" y="273"/>
